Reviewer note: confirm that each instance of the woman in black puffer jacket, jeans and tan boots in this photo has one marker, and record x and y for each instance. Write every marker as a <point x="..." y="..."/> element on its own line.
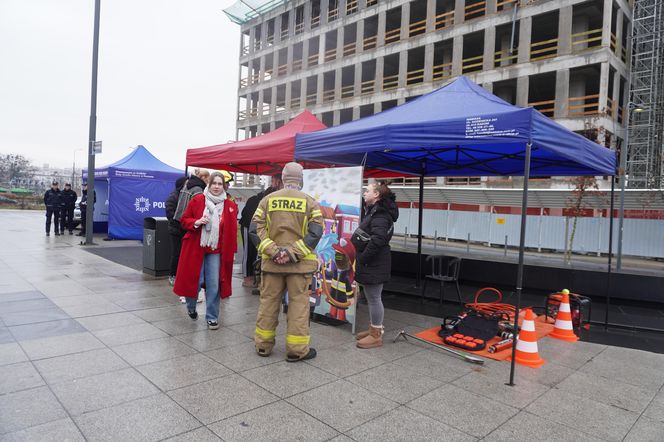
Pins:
<point x="374" y="259"/>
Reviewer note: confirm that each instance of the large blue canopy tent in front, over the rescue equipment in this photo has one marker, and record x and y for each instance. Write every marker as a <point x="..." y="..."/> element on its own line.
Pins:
<point x="460" y="130"/>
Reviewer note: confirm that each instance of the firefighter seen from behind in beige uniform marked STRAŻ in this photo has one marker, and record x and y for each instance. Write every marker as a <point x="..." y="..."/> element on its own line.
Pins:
<point x="286" y="228"/>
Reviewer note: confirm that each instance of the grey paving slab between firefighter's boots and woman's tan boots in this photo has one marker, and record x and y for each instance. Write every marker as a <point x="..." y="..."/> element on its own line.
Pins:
<point x="345" y="360"/>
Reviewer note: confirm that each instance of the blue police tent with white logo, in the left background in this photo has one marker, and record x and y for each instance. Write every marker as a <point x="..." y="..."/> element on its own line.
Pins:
<point x="131" y="189"/>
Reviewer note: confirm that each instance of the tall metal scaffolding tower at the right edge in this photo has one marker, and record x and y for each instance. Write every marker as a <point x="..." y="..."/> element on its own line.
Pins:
<point x="645" y="162"/>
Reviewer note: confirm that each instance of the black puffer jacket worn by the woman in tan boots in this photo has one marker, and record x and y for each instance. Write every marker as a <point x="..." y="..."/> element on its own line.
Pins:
<point x="374" y="263"/>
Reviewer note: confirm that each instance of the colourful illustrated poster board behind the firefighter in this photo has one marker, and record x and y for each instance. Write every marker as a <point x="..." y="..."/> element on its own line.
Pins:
<point x="338" y="191"/>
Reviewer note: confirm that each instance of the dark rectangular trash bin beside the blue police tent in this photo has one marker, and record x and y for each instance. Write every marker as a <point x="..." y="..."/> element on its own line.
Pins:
<point x="156" y="247"/>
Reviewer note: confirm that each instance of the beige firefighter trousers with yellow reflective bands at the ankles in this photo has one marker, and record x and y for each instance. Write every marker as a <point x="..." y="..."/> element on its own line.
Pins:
<point x="273" y="286"/>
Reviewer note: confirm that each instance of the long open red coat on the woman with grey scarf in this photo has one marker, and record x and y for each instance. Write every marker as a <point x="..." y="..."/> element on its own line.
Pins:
<point x="191" y="256"/>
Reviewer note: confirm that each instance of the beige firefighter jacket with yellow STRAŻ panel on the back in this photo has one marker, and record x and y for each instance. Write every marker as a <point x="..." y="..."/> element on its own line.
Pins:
<point x="288" y="220"/>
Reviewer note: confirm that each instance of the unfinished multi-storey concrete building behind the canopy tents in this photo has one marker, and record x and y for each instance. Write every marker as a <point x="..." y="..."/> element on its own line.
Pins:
<point x="347" y="59"/>
